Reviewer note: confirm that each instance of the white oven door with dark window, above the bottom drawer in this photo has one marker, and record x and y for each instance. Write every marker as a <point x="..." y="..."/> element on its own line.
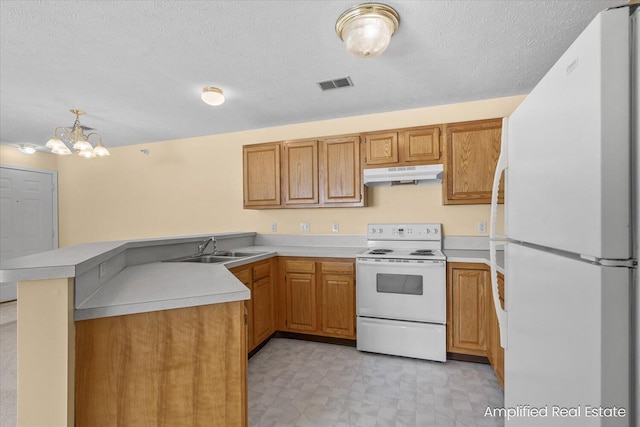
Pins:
<point x="402" y="290"/>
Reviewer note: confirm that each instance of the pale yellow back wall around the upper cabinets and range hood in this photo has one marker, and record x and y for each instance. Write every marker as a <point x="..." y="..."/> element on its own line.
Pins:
<point x="194" y="185"/>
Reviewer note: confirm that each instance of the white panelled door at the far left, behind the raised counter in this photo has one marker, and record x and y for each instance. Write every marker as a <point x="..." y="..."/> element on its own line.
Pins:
<point x="28" y="216"/>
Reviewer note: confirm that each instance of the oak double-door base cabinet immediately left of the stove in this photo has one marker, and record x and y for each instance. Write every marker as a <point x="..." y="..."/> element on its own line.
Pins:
<point x="318" y="296"/>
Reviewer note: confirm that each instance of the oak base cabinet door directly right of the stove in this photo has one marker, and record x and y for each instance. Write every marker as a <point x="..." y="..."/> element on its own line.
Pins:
<point x="466" y="315"/>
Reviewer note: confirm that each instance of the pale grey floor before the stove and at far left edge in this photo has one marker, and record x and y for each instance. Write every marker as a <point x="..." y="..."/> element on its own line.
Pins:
<point x="301" y="383"/>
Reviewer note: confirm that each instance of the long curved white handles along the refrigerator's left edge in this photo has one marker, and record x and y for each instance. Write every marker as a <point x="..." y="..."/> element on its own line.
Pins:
<point x="494" y="239"/>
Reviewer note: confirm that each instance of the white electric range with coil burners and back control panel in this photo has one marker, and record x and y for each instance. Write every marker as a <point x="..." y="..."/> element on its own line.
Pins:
<point x="401" y="291"/>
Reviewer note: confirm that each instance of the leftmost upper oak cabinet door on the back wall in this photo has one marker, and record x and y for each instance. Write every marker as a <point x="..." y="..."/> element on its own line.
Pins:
<point x="261" y="175"/>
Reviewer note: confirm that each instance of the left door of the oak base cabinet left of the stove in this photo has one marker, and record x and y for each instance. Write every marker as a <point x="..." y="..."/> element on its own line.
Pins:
<point x="301" y="302"/>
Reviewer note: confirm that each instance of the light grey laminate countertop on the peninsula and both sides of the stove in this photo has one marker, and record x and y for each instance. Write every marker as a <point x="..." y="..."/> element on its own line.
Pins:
<point x="151" y="286"/>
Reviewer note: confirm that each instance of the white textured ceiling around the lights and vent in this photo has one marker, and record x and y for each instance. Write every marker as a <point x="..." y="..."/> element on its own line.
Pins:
<point x="137" y="67"/>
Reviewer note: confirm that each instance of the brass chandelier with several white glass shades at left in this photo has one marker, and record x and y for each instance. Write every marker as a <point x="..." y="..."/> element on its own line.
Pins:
<point x="75" y="138"/>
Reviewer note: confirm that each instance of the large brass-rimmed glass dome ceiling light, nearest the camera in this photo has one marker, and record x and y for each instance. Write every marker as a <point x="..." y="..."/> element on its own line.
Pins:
<point x="366" y="29"/>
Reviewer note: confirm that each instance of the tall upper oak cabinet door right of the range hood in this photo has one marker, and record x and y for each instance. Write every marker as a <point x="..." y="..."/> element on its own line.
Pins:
<point x="472" y="151"/>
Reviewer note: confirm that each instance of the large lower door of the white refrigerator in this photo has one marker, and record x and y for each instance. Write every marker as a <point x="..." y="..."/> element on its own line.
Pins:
<point x="568" y="339"/>
